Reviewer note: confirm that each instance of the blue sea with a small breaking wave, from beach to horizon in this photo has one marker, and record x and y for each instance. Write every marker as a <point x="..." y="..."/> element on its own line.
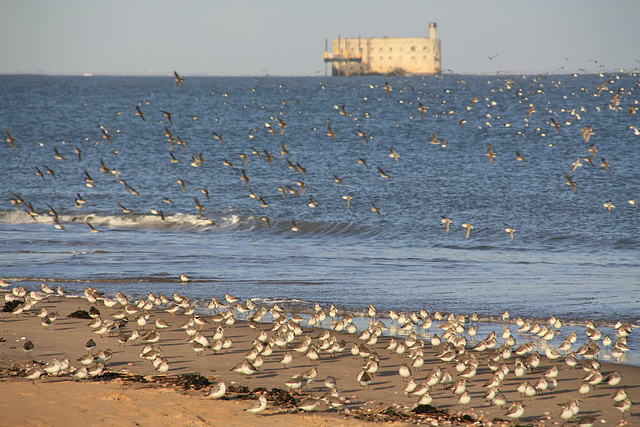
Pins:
<point x="569" y="258"/>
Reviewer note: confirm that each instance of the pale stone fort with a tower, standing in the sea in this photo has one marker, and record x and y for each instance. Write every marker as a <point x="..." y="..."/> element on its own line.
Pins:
<point x="385" y="55"/>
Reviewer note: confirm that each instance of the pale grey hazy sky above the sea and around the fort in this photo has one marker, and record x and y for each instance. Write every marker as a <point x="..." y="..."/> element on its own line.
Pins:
<point x="247" y="37"/>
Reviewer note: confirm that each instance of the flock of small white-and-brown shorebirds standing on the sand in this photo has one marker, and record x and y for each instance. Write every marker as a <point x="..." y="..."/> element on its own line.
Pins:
<point x="456" y="354"/>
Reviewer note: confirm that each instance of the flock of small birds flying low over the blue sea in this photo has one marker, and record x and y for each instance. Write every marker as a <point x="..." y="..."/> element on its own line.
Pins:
<point x="299" y="187"/>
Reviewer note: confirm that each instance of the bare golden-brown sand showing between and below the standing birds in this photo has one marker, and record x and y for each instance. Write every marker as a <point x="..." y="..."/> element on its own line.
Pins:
<point x="146" y="397"/>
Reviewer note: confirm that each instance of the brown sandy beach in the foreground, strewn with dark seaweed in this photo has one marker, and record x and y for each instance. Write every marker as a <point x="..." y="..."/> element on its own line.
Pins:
<point x="130" y="390"/>
